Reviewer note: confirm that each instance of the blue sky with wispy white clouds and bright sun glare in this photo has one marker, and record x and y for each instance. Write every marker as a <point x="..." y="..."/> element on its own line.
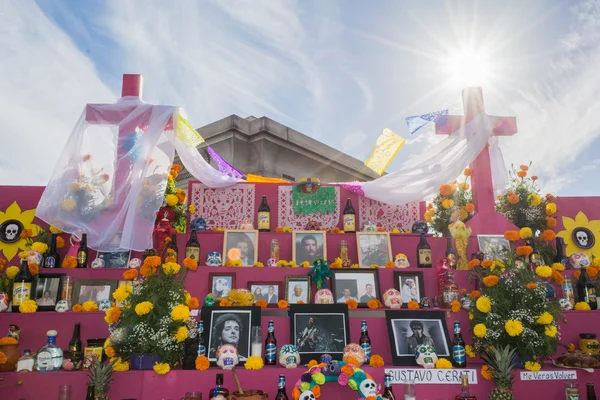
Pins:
<point x="339" y="71"/>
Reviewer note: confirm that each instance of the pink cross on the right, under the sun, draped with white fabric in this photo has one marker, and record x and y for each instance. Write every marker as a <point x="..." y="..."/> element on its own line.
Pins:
<point x="486" y="220"/>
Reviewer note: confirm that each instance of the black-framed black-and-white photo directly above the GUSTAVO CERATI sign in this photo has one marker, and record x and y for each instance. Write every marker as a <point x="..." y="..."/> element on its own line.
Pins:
<point x="408" y="329"/>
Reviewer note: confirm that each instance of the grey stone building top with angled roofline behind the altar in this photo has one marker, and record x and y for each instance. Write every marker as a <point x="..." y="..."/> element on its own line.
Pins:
<point x="265" y="147"/>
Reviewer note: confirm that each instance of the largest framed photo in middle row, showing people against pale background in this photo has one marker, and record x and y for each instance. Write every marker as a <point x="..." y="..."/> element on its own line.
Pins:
<point x="360" y="285"/>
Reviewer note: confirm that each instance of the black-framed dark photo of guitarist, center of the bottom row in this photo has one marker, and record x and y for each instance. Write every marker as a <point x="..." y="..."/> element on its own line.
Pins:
<point x="319" y="329"/>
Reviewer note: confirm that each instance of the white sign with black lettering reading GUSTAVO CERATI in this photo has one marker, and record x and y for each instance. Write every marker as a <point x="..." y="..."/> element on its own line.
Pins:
<point x="439" y="376"/>
